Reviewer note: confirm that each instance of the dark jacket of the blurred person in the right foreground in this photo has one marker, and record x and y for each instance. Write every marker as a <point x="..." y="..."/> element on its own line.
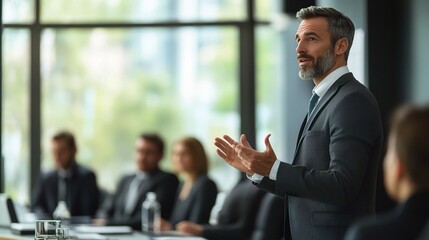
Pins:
<point x="406" y="221"/>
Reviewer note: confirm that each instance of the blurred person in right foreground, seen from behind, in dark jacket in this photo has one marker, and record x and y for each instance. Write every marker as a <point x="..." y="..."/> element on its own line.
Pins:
<point x="406" y="168"/>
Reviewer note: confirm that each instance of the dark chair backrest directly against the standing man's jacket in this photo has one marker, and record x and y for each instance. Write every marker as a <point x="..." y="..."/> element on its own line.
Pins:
<point x="270" y="219"/>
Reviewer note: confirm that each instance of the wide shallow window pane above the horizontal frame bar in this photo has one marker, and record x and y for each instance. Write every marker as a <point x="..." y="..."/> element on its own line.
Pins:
<point x="142" y="10"/>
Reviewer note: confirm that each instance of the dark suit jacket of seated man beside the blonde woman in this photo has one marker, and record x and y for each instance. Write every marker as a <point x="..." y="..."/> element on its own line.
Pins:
<point x="162" y="183"/>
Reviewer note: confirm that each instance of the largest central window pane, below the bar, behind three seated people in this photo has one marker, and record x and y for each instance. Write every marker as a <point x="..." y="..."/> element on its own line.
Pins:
<point x="108" y="85"/>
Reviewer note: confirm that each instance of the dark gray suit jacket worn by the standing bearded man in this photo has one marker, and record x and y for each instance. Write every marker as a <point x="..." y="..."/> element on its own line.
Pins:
<point x="331" y="181"/>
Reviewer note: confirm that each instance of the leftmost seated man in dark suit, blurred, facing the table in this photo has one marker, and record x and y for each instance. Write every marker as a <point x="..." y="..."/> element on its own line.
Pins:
<point x="69" y="182"/>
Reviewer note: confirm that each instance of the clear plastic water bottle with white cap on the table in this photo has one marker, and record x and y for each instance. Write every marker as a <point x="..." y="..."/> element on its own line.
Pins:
<point x="151" y="214"/>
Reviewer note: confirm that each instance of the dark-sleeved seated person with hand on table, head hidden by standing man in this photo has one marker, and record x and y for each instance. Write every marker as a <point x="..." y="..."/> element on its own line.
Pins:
<point x="236" y="220"/>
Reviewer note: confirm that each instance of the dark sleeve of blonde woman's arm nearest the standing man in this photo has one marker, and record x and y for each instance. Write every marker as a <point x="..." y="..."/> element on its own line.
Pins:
<point x="205" y="200"/>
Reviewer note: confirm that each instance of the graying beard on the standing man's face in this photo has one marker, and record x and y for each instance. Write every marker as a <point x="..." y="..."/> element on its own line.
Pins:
<point x="322" y="65"/>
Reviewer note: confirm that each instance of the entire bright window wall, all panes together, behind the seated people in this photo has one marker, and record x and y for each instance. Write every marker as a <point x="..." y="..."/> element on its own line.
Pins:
<point x="109" y="70"/>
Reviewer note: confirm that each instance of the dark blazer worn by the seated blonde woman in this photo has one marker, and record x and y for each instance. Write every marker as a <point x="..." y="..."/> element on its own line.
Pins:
<point x="198" y="205"/>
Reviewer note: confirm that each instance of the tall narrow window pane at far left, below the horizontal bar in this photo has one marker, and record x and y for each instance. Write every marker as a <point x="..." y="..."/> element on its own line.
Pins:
<point x="15" y="107"/>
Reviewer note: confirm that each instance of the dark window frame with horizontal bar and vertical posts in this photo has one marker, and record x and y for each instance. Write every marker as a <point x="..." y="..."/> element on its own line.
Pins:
<point x="247" y="65"/>
